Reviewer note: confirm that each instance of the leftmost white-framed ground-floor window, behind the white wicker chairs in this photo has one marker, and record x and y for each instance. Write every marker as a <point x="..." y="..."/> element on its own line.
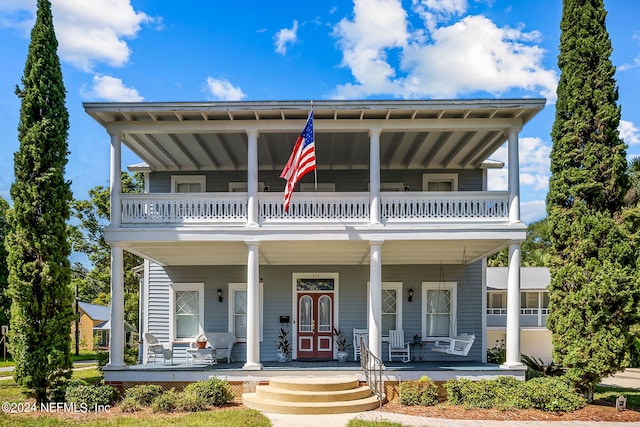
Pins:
<point x="187" y="310"/>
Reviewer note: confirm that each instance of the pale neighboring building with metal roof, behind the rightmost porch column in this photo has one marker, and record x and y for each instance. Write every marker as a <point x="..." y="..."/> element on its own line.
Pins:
<point x="535" y="338"/>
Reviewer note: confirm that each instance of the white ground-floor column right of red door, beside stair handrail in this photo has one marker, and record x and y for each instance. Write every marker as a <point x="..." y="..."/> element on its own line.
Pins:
<point x="375" y="298"/>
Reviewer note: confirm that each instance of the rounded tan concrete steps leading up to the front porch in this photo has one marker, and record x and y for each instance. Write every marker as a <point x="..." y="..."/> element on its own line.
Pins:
<point x="312" y="395"/>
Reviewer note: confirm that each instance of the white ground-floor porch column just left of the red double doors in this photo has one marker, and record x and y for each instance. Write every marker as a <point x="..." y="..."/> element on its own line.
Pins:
<point x="253" y="301"/>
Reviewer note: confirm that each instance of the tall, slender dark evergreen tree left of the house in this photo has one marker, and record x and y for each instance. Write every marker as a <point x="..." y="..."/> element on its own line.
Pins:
<point x="39" y="271"/>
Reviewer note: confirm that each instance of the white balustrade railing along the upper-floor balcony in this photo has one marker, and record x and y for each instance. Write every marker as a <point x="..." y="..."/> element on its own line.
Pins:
<point x="349" y="208"/>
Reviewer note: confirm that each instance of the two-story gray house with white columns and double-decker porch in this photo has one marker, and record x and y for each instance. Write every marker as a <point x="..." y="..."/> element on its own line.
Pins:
<point x="394" y="237"/>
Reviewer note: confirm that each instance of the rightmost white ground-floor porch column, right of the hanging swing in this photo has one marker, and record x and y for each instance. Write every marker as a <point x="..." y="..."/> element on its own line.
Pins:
<point x="513" y="309"/>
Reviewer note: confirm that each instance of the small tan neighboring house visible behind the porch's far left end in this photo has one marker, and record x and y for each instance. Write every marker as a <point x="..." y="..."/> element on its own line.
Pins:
<point x="94" y="326"/>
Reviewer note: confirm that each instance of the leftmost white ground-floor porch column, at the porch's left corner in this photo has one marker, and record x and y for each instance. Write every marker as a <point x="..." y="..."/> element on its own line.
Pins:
<point x="116" y="338"/>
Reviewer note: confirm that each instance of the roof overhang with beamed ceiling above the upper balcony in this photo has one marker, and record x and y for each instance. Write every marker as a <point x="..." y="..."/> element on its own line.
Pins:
<point x="415" y="134"/>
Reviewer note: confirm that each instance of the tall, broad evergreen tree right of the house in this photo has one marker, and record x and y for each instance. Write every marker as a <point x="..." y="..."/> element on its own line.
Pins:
<point x="594" y="290"/>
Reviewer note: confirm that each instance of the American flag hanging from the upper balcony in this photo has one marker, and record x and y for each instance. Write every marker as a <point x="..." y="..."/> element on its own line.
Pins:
<point x="302" y="161"/>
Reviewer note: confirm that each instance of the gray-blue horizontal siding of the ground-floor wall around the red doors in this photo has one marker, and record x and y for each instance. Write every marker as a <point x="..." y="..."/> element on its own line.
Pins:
<point x="352" y="296"/>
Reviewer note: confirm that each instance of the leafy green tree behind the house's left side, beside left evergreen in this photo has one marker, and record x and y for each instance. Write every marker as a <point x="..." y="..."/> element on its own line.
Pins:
<point x="88" y="238"/>
